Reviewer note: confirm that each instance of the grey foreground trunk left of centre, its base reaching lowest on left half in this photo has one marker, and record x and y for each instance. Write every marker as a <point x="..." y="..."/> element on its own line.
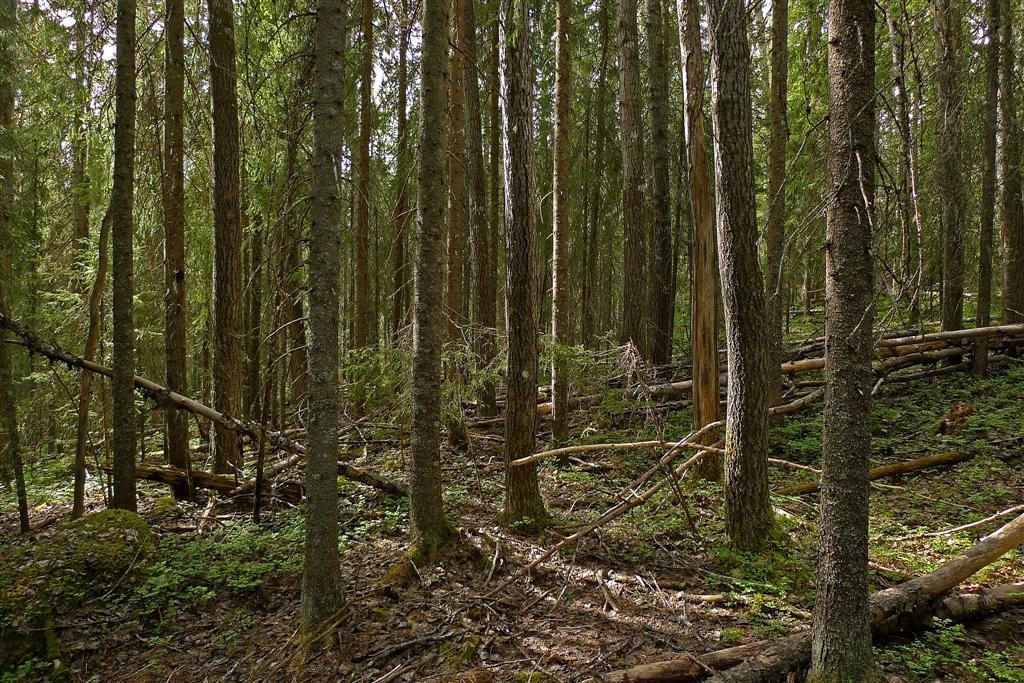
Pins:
<point x="322" y="591"/>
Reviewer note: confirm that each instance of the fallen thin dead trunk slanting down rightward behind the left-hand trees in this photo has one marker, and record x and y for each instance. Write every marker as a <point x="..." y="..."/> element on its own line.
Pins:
<point x="165" y="399"/>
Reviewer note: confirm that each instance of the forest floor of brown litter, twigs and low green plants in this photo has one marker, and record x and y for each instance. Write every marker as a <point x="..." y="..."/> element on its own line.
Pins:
<point x="220" y="600"/>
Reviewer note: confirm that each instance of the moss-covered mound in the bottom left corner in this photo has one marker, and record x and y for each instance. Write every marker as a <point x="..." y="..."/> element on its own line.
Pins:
<point x="102" y="554"/>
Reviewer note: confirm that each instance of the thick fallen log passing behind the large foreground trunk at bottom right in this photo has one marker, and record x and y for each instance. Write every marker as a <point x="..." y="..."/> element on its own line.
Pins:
<point x="766" y="662"/>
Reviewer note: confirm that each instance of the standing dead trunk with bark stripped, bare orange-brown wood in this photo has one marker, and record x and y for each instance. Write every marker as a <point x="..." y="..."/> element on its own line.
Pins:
<point x="705" y="263"/>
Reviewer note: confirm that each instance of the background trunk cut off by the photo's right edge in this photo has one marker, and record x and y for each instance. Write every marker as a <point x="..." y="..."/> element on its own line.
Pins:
<point x="1012" y="201"/>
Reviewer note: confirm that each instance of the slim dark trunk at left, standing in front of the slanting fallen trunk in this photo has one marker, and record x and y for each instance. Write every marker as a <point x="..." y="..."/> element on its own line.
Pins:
<point x="122" y="202"/>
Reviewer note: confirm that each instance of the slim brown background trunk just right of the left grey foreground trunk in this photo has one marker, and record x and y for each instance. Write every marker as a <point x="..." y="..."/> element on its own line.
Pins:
<point x="363" y="316"/>
